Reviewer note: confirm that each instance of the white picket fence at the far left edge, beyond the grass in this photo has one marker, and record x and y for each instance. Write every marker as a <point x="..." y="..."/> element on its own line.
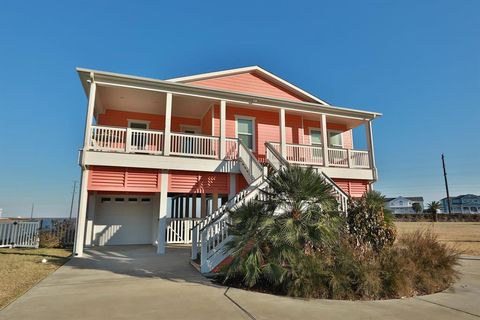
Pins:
<point x="19" y="234"/>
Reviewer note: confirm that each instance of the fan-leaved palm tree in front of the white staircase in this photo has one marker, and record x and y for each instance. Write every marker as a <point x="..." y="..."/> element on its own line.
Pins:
<point x="270" y="238"/>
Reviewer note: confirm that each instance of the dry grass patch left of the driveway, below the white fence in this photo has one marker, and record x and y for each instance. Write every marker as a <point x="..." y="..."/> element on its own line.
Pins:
<point x="20" y="269"/>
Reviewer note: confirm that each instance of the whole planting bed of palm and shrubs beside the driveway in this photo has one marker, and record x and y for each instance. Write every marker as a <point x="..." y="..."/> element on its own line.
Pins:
<point x="296" y="244"/>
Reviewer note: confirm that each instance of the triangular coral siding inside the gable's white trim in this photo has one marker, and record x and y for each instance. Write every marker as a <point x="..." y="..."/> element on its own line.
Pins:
<point x="249" y="83"/>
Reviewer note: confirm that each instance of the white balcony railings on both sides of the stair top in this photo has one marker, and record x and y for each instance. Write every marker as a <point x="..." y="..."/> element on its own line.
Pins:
<point x="151" y="142"/>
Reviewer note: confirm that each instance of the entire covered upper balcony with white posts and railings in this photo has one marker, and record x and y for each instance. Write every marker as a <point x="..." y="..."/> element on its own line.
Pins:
<point x="157" y="124"/>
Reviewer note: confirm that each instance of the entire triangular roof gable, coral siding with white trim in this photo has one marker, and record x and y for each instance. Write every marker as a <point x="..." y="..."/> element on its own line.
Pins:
<point x="252" y="80"/>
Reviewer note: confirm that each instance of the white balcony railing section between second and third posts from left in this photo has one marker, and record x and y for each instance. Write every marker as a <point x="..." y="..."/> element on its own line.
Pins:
<point x="184" y="144"/>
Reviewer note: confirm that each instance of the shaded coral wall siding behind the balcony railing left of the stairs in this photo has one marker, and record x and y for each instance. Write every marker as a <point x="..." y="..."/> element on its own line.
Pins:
<point x="157" y="122"/>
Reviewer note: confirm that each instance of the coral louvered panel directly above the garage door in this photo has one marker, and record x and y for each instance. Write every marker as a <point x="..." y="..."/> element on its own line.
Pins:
<point x="123" y="179"/>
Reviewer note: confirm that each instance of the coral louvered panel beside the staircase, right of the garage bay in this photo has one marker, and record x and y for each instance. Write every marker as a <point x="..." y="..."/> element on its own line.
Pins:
<point x="198" y="182"/>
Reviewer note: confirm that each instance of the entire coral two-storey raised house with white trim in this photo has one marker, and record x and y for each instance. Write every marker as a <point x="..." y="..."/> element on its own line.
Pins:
<point x="161" y="155"/>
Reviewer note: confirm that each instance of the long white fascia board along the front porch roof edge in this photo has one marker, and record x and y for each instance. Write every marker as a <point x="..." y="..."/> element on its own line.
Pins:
<point x="119" y="80"/>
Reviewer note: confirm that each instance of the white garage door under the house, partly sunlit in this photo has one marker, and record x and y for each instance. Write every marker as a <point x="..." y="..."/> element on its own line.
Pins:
<point x="123" y="220"/>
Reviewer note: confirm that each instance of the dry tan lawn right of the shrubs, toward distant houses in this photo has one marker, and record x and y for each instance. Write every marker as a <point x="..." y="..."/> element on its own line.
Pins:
<point x="464" y="236"/>
